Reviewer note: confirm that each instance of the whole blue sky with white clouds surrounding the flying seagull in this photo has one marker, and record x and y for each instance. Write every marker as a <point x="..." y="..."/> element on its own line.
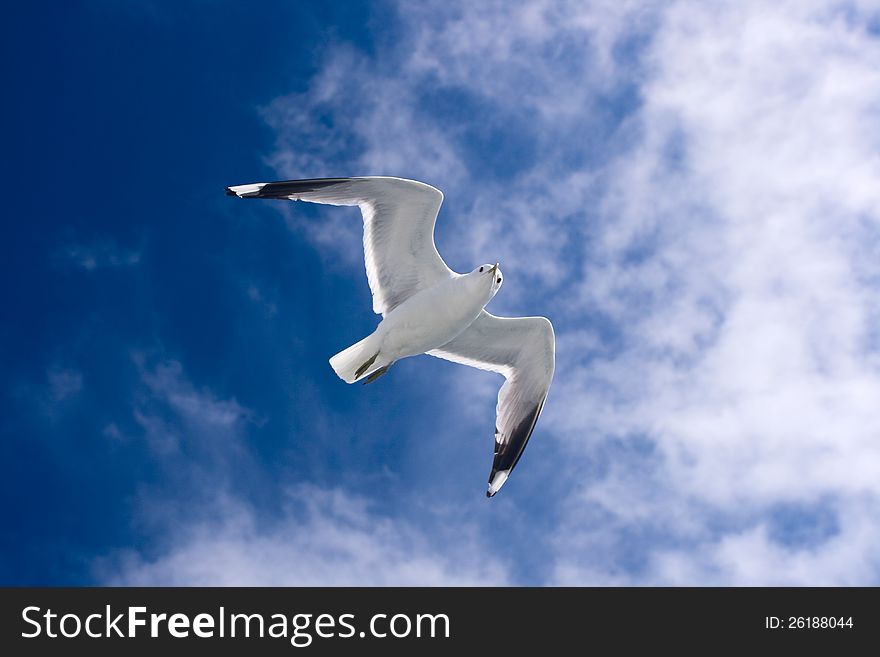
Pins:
<point x="689" y="194"/>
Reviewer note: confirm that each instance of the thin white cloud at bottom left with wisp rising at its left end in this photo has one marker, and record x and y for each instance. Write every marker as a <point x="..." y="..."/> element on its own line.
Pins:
<point x="213" y="536"/>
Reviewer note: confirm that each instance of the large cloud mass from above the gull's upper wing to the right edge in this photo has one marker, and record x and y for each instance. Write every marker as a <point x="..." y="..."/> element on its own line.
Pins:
<point x="697" y="210"/>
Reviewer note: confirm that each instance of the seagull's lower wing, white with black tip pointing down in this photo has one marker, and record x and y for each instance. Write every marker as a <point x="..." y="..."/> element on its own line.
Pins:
<point x="523" y="349"/>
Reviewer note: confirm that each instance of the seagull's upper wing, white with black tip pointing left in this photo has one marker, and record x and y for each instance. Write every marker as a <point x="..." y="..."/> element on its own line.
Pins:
<point x="399" y="217"/>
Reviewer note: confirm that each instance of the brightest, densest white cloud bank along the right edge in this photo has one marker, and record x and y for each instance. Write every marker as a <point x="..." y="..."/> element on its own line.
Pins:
<point x="749" y="360"/>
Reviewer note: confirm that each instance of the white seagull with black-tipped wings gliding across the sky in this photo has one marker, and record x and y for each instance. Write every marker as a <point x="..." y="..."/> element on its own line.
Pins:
<point x="428" y="308"/>
